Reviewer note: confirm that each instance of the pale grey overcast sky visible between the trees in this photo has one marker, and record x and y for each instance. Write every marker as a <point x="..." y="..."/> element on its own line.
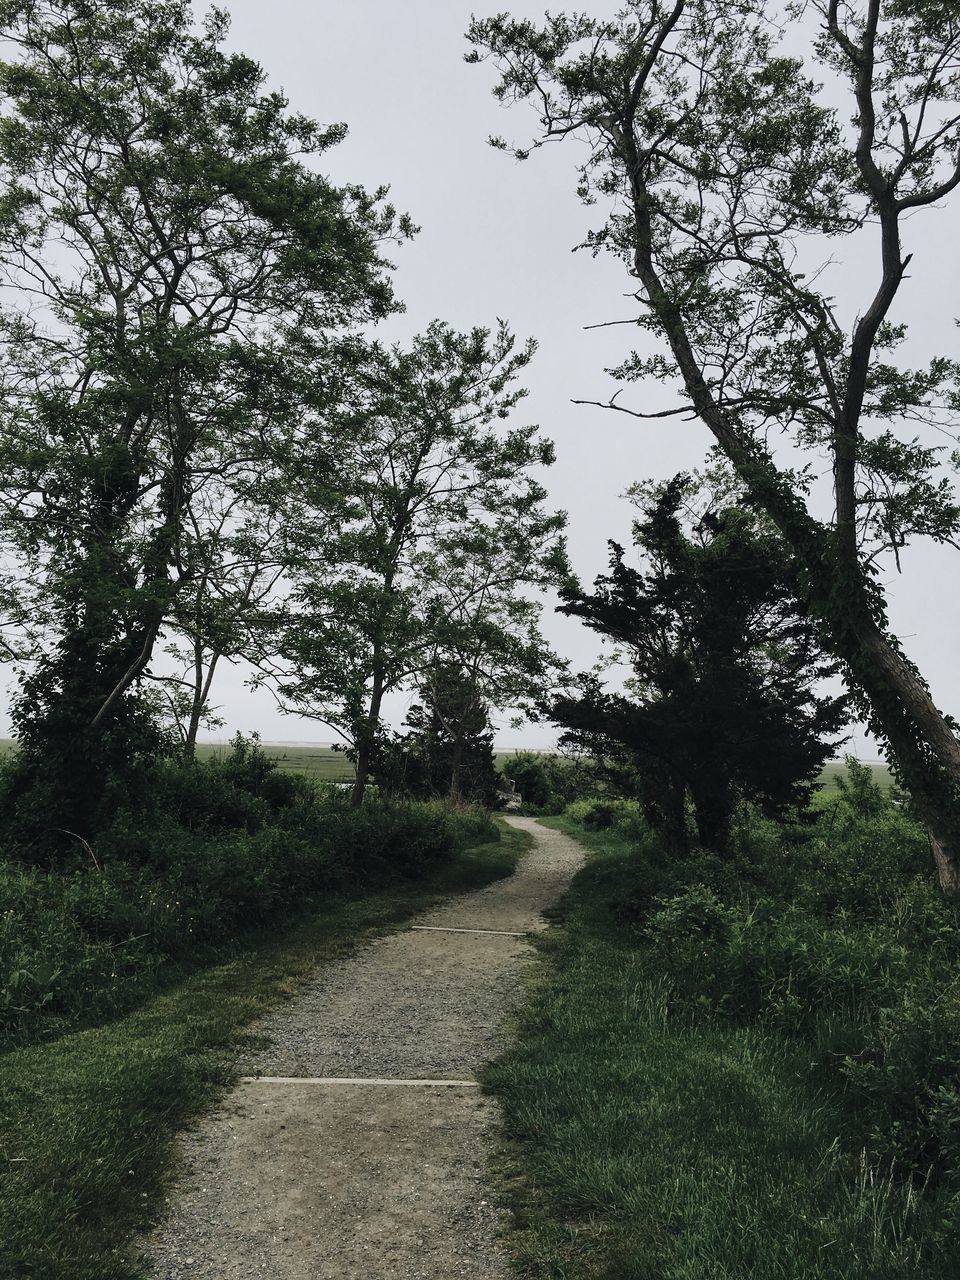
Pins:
<point x="496" y="241"/>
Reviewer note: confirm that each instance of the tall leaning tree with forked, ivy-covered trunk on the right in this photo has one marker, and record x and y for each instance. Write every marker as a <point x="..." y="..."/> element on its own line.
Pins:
<point x="730" y="176"/>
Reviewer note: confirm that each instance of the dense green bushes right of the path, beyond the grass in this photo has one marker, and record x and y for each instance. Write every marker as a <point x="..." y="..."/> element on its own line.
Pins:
<point x="834" y="932"/>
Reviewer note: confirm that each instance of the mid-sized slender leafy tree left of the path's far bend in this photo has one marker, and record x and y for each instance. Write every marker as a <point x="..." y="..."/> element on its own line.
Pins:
<point x="435" y="482"/>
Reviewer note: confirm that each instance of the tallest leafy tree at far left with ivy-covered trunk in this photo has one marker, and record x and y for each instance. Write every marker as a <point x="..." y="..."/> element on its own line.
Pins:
<point x="176" y="268"/>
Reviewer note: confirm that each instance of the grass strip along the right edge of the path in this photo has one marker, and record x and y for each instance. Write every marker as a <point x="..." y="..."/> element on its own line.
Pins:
<point x="647" y="1142"/>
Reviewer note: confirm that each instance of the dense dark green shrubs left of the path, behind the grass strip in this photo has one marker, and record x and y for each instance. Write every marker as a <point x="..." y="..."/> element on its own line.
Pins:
<point x="240" y="847"/>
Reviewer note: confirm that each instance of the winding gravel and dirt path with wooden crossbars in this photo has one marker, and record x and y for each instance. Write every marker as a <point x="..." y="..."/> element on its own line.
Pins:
<point x="330" y="1163"/>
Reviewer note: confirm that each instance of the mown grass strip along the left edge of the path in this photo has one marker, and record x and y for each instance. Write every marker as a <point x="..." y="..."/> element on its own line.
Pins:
<point x="86" y="1122"/>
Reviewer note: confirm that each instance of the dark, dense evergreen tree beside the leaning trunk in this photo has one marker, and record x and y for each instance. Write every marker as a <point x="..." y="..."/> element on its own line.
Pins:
<point x="724" y="703"/>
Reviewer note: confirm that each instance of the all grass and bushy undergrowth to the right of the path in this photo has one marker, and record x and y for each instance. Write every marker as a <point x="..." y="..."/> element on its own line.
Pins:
<point x="744" y="1066"/>
